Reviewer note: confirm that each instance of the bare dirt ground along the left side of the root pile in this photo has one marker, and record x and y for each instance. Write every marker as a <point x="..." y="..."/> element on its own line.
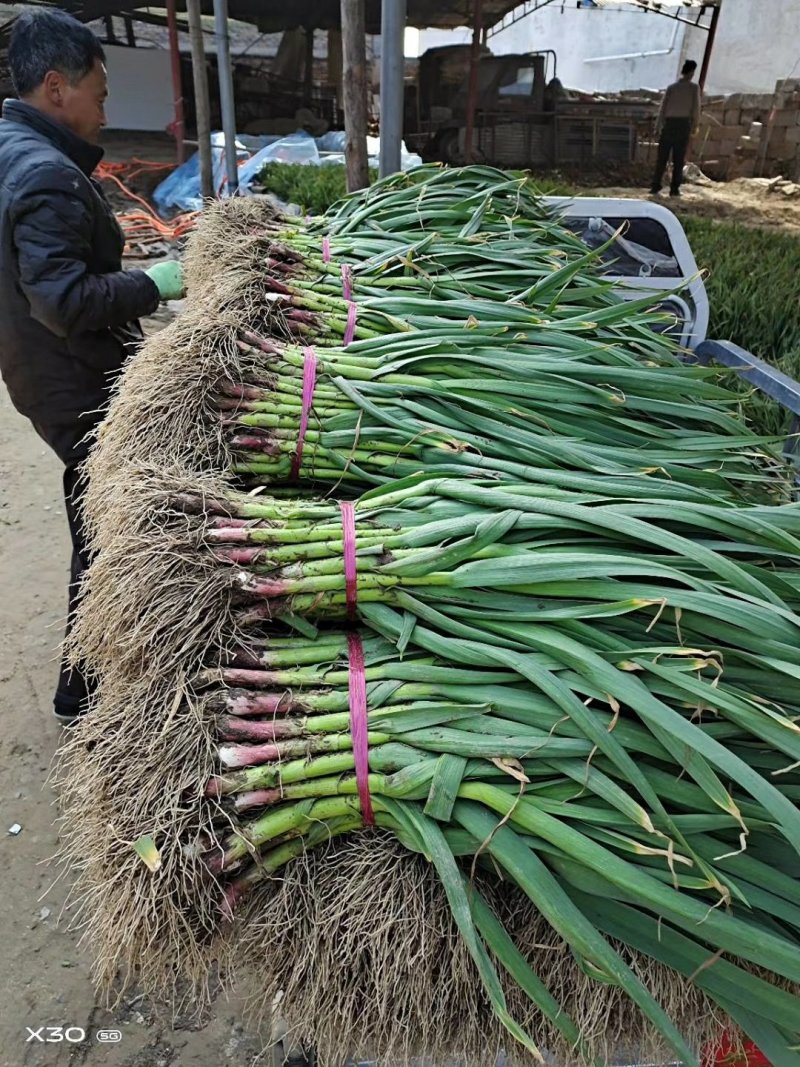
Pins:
<point x="45" y="975"/>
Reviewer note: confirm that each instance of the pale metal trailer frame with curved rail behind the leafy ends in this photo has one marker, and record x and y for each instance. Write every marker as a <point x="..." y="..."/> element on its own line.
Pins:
<point x="651" y="253"/>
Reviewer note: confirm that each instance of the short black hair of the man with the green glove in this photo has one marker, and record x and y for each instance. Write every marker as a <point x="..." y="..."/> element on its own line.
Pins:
<point x="45" y="41"/>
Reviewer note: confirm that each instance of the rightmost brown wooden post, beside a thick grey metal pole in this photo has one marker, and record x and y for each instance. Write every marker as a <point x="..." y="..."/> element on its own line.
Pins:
<point x="355" y="92"/>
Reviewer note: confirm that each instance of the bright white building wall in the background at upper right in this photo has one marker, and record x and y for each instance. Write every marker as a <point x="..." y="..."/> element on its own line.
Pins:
<point x="758" y="42"/>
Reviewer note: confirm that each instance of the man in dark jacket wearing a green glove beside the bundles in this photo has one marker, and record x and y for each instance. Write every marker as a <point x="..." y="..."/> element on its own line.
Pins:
<point x="68" y="311"/>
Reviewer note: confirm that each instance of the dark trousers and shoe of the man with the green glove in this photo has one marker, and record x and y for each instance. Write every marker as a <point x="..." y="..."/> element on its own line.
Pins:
<point x="73" y="690"/>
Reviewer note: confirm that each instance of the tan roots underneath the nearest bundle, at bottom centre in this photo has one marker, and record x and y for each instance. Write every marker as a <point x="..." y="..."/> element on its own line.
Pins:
<point x="360" y="942"/>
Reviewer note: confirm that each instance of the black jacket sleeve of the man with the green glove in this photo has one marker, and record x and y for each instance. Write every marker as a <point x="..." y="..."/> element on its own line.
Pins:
<point x="53" y="236"/>
